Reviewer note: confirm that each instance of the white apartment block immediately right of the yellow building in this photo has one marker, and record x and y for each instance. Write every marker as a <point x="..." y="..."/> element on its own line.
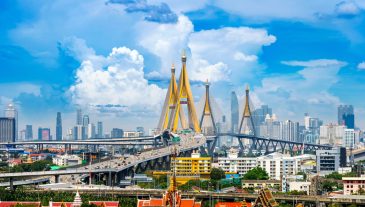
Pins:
<point x="234" y="164"/>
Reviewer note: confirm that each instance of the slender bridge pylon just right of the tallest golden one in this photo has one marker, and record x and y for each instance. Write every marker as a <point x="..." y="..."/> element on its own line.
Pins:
<point x="207" y="113"/>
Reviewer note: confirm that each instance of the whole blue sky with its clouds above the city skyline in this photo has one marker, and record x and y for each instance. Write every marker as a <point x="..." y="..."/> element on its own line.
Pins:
<point x="113" y="58"/>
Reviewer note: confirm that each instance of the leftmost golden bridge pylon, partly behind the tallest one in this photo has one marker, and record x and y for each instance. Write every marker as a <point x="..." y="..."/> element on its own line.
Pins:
<point x="169" y="105"/>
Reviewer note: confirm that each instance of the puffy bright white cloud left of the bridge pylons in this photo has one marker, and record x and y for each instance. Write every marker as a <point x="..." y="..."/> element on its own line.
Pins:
<point x="116" y="80"/>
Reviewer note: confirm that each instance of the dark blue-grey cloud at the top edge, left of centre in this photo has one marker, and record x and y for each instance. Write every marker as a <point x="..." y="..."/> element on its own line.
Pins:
<point x="155" y="13"/>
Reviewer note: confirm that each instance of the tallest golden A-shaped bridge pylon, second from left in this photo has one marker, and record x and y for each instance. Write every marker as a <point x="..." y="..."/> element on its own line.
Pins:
<point x="184" y="96"/>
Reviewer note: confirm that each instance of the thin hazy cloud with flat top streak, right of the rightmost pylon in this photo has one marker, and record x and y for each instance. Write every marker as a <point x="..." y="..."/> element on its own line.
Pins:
<point x="304" y="91"/>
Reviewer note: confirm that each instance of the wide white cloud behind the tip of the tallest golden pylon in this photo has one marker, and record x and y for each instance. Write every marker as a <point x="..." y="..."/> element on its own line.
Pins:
<point x="217" y="55"/>
